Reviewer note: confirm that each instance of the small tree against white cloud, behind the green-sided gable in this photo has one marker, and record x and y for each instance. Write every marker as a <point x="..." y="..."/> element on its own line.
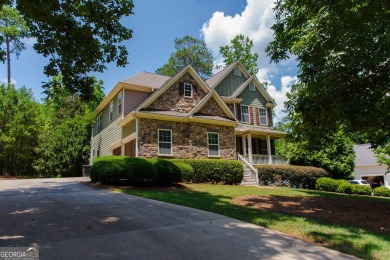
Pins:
<point x="240" y="49"/>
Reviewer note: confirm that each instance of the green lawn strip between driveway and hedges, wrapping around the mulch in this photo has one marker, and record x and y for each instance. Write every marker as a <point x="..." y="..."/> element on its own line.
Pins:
<point x="218" y="199"/>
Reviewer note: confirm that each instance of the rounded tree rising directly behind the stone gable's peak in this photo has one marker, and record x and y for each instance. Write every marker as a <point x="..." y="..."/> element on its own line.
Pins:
<point x="189" y="51"/>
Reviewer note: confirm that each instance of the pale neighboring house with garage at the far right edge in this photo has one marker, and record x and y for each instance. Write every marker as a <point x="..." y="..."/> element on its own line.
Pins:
<point x="367" y="167"/>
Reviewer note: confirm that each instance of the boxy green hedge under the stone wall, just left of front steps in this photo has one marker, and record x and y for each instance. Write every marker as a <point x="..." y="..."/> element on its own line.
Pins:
<point x="215" y="171"/>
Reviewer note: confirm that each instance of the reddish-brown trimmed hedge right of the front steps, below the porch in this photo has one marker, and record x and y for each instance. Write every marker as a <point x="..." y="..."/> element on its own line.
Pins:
<point x="289" y="175"/>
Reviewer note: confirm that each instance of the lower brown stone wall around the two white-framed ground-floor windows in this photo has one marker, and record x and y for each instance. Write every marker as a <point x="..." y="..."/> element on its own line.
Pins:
<point x="189" y="140"/>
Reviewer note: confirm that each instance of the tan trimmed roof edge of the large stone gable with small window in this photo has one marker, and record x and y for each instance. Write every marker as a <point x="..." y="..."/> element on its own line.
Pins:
<point x="170" y="82"/>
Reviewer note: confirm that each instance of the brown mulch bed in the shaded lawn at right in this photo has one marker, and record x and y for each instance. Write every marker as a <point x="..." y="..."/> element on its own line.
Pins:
<point x="367" y="214"/>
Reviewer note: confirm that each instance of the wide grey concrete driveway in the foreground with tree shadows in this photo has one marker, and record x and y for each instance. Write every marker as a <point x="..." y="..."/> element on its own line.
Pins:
<point x="69" y="220"/>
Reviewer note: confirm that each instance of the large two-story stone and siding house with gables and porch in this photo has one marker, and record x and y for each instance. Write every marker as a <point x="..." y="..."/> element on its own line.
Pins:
<point x="183" y="116"/>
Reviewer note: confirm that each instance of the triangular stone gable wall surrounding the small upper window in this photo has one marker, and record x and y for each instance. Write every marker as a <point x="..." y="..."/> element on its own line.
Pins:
<point x="173" y="98"/>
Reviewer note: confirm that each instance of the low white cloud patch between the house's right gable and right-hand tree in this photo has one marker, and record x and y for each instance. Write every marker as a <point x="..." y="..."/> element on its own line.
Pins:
<point x="280" y="95"/>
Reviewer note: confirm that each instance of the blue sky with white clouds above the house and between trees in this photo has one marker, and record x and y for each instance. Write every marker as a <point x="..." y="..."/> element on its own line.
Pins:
<point x="155" y="25"/>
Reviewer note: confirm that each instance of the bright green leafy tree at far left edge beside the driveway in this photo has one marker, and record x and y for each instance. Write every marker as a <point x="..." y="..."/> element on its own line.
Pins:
<point x="20" y="126"/>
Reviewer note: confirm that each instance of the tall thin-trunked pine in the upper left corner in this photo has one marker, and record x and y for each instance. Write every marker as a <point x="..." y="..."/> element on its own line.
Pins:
<point x="12" y="29"/>
